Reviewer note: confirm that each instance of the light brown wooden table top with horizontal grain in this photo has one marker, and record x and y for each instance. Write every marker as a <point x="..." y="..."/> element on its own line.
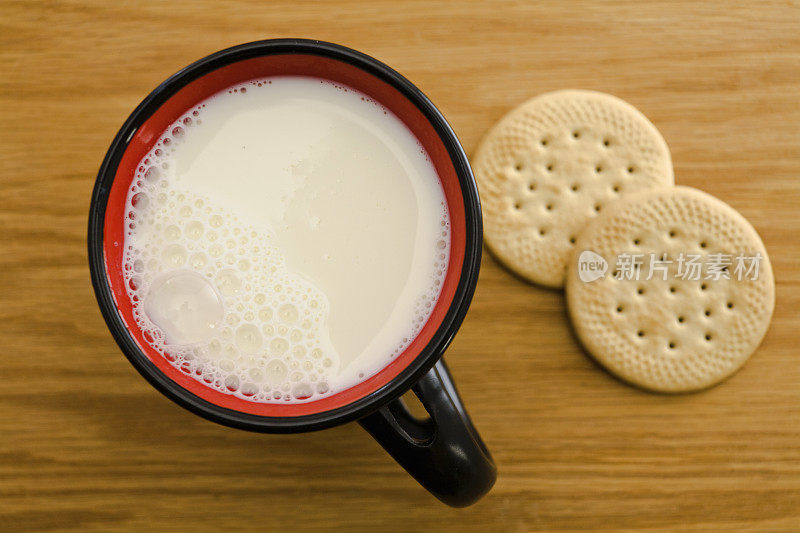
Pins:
<point x="86" y="444"/>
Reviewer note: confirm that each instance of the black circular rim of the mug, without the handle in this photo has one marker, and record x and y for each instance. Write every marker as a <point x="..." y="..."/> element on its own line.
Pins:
<point x="411" y="373"/>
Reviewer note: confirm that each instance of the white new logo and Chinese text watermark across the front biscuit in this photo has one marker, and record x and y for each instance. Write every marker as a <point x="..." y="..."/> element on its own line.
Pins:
<point x="694" y="267"/>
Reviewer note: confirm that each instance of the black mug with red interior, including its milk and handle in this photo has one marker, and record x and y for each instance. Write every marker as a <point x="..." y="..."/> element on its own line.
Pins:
<point x="285" y="236"/>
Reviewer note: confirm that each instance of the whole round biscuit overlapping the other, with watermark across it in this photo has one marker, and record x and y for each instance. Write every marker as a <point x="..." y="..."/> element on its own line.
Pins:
<point x="671" y="333"/>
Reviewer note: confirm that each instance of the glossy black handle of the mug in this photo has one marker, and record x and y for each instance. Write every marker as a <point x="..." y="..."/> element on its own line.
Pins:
<point x="444" y="452"/>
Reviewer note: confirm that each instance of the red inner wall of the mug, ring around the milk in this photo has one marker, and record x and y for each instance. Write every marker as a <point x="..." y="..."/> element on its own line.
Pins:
<point x="296" y="64"/>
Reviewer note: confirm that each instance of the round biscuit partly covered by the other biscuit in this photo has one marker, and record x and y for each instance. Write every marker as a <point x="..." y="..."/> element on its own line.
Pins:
<point x="551" y="165"/>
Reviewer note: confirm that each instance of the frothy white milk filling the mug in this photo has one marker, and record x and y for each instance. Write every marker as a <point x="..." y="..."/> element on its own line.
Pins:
<point x="288" y="237"/>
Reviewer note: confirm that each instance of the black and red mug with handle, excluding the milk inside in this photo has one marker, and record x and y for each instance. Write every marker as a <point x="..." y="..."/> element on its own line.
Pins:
<point x="444" y="452"/>
